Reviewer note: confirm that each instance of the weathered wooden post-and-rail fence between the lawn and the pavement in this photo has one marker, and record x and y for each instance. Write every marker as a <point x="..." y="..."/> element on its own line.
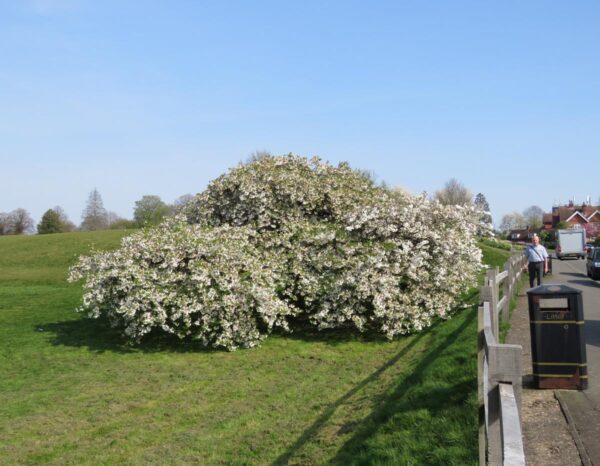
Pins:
<point x="499" y="371"/>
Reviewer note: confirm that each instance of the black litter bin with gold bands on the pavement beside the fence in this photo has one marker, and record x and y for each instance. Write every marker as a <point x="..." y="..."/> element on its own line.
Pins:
<point x="557" y="337"/>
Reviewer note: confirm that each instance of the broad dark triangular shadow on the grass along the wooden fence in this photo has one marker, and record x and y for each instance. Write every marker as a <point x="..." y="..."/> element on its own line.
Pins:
<point x="409" y="396"/>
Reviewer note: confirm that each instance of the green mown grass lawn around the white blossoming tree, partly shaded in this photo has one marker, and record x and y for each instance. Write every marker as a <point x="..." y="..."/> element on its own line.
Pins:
<point x="72" y="392"/>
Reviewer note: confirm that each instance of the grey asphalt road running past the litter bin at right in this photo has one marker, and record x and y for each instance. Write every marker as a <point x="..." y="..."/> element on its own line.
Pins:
<point x="582" y="408"/>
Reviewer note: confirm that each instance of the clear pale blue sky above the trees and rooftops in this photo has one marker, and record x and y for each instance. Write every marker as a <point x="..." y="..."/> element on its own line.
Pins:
<point x="160" y="97"/>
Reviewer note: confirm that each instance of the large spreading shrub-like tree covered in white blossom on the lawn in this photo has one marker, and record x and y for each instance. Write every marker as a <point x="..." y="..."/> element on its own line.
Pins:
<point x="282" y="239"/>
